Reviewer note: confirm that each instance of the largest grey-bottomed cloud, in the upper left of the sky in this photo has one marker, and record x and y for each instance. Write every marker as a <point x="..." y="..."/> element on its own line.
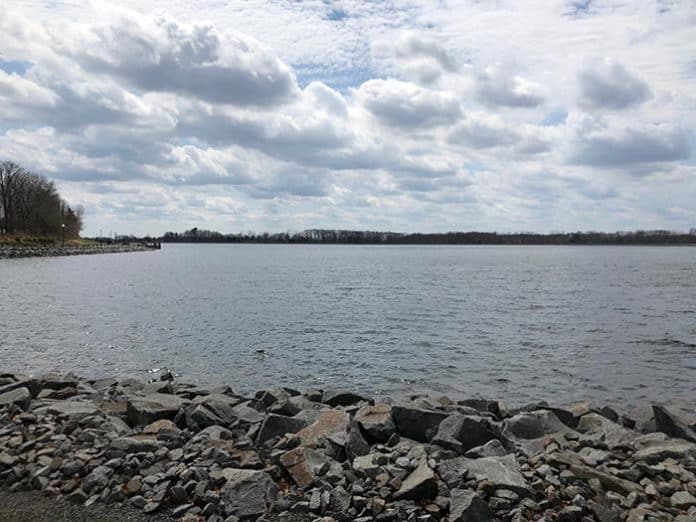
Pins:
<point x="197" y="60"/>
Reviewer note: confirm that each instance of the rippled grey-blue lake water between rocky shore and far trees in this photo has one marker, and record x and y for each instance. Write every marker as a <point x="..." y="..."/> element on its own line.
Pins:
<point x="615" y="324"/>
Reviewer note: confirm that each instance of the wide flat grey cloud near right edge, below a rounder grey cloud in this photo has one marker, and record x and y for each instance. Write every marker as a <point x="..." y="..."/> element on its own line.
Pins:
<point x="631" y="146"/>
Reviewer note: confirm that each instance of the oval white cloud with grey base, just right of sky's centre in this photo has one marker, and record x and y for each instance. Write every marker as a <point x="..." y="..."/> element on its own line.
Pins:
<point x="402" y="104"/>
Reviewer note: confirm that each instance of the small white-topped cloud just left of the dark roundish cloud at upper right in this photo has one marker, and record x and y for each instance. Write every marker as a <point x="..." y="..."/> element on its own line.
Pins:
<point x="496" y="87"/>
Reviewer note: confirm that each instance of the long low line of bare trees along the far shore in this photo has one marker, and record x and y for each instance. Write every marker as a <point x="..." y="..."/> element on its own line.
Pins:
<point x="639" y="237"/>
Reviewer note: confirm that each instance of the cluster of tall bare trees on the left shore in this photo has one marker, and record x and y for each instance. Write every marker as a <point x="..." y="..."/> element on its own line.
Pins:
<point x="30" y="204"/>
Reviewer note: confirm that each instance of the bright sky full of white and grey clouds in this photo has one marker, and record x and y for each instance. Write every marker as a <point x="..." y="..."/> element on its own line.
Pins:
<point x="400" y="115"/>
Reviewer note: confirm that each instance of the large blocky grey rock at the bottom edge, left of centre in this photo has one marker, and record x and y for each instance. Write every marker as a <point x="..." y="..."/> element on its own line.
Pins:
<point x="246" y="493"/>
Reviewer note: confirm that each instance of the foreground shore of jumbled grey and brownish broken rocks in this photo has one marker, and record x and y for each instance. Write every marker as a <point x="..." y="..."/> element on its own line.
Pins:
<point x="187" y="452"/>
